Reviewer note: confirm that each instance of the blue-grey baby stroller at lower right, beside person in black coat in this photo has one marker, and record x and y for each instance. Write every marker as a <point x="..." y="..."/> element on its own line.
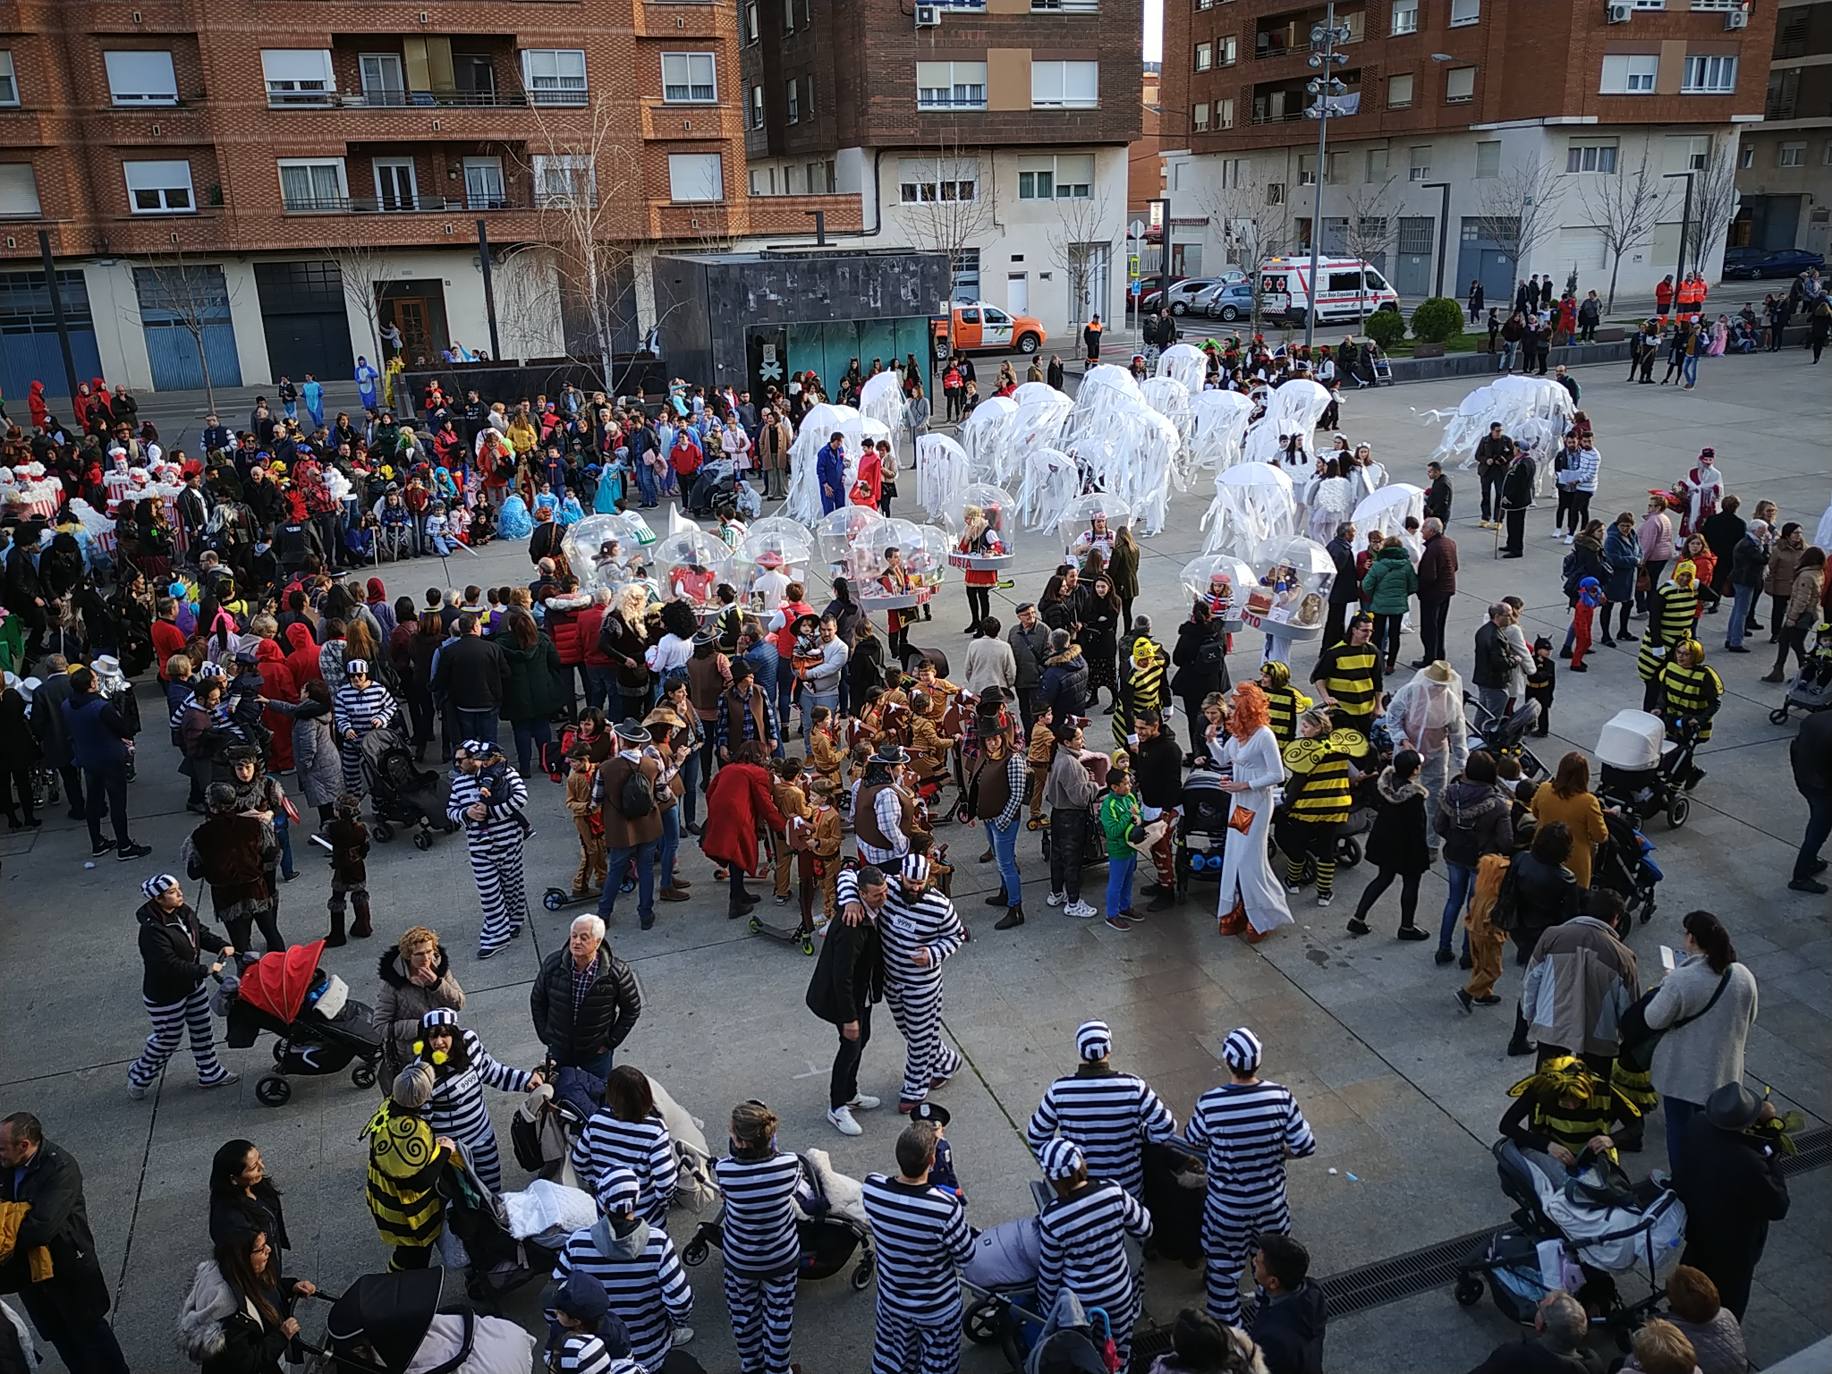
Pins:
<point x="1576" y="1232"/>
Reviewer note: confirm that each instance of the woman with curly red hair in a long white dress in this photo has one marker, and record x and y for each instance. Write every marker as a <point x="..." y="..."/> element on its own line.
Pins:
<point x="1252" y="900"/>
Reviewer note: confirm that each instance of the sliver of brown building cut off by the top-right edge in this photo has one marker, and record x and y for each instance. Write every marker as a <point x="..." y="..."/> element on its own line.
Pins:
<point x="1785" y="166"/>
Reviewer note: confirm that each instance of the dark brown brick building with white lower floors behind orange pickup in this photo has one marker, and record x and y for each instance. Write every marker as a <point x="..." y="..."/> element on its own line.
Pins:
<point x="992" y="131"/>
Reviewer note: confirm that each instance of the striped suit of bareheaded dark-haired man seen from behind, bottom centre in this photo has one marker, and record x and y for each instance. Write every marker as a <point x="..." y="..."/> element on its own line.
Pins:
<point x="922" y="1241"/>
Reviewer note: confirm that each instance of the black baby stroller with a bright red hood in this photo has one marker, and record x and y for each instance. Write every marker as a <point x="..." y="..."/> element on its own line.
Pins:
<point x="318" y="1025"/>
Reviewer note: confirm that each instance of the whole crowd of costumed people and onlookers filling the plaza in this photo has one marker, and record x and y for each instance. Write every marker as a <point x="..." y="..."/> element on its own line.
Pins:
<point x="822" y="752"/>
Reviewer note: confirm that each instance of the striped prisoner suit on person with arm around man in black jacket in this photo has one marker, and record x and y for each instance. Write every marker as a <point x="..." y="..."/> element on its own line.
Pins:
<point x="913" y="990"/>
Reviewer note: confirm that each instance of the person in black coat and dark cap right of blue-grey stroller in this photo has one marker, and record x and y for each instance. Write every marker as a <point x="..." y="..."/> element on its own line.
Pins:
<point x="1732" y="1188"/>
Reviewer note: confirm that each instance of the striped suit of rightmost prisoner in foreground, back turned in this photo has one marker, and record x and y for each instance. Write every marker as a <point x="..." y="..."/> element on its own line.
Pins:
<point x="1245" y="1133"/>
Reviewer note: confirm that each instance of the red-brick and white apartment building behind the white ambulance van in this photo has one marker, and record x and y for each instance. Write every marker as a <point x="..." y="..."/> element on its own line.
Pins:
<point x="1452" y="111"/>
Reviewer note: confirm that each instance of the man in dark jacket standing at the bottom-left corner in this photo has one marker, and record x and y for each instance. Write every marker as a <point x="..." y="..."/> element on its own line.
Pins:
<point x="69" y="1309"/>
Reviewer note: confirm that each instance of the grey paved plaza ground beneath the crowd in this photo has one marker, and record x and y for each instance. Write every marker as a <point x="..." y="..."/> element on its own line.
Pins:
<point x="1402" y="1089"/>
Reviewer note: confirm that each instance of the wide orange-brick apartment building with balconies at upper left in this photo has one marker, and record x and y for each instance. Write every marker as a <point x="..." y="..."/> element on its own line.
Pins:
<point x="232" y="151"/>
